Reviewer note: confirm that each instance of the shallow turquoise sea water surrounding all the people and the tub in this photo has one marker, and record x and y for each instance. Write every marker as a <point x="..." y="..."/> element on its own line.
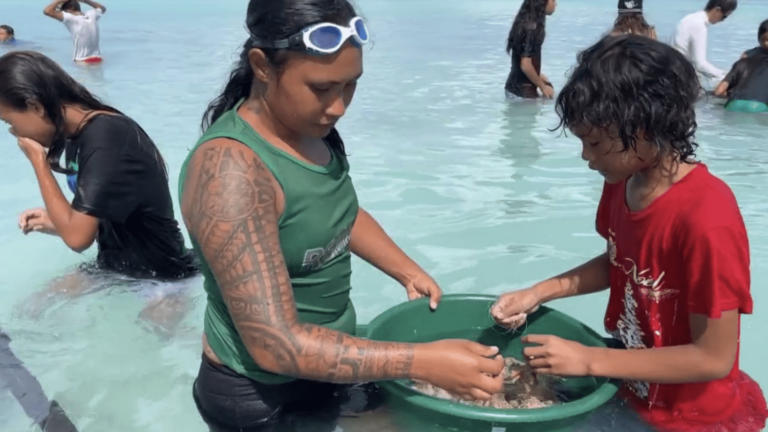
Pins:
<point x="477" y="190"/>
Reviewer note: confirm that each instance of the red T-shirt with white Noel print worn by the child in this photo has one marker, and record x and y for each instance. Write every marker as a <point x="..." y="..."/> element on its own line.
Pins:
<point x="686" y="253"/>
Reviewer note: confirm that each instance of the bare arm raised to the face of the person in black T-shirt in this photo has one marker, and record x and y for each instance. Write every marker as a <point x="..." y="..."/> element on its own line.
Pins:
<point x="78" y="230"/>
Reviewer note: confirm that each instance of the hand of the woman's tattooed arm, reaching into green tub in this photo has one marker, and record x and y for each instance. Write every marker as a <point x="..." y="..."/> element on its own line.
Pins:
<point x="465" y="369"/>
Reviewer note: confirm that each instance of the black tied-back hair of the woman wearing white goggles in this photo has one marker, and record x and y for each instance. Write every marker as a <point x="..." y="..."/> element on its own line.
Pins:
<point x="273" y="20"/>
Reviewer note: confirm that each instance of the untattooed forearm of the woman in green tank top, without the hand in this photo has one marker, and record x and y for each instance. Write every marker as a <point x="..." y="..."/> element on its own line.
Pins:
<point x="370" y="242"/>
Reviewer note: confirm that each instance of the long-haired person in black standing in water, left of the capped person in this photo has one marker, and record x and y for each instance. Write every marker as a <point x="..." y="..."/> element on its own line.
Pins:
<point x="524" y="46"/>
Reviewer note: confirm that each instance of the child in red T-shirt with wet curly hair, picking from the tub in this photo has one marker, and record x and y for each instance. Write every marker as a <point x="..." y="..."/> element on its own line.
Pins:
<point x="677" y="263"/>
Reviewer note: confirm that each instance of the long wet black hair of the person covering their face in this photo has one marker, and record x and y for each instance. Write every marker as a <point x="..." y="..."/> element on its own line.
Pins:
<point x="28" y="76"/>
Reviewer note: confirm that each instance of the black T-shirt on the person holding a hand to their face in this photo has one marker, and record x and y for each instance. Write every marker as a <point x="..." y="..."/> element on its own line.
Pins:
<point x="121" y="180"/>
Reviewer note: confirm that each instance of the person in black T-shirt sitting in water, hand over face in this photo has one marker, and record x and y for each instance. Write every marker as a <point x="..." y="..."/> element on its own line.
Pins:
<point x="118" y="177"/>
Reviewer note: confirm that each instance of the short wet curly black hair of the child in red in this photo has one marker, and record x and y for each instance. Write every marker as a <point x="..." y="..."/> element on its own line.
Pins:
<point x="634" y="87"/>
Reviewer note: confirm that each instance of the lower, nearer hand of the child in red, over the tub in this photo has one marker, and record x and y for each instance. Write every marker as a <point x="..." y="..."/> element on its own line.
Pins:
<point x="557" y="356"/>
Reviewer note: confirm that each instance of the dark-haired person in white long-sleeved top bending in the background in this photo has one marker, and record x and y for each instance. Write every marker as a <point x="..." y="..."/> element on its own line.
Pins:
<point x="690" y="37"/>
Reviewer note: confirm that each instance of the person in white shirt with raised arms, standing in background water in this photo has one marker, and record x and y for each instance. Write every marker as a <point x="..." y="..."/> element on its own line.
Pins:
<point x="83" y="27"/>
